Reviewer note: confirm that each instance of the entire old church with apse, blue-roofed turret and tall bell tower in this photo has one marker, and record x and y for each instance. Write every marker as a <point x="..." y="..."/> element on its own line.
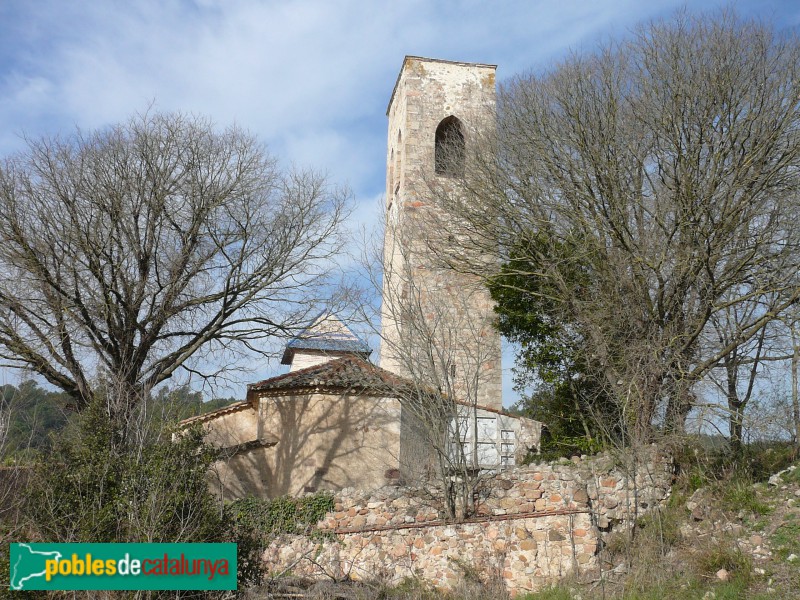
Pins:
<point x="335" y="419"/>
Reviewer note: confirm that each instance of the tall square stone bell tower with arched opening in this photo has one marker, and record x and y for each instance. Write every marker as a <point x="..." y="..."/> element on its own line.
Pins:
<point x="436" y="318"/>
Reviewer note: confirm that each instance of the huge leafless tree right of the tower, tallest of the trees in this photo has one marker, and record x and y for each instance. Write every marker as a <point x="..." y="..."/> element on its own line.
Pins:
<point x="649" y="187"/>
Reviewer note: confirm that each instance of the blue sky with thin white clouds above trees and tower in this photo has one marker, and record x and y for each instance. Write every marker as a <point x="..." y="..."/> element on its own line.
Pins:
<point x="310" y="77"/>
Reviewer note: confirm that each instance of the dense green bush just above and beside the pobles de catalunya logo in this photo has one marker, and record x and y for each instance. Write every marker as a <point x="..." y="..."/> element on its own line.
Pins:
<point x="99" y="485"/>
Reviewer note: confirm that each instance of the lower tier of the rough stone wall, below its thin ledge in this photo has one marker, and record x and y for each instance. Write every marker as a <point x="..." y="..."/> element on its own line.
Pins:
<point x="524" y="551"/>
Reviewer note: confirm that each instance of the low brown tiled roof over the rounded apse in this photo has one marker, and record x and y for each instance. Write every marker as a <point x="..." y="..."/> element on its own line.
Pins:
<point x="349" y="373"/>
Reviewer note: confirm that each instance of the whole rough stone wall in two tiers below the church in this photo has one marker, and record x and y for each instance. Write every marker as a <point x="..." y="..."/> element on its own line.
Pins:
<point x="535" y="524"/>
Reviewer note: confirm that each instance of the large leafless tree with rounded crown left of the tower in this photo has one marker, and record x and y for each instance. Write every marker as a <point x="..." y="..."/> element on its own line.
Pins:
<point x="157" y="245"/>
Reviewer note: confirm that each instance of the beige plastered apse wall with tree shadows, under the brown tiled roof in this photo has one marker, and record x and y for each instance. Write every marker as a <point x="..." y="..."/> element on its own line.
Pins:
<point x="325" y="441"/>
